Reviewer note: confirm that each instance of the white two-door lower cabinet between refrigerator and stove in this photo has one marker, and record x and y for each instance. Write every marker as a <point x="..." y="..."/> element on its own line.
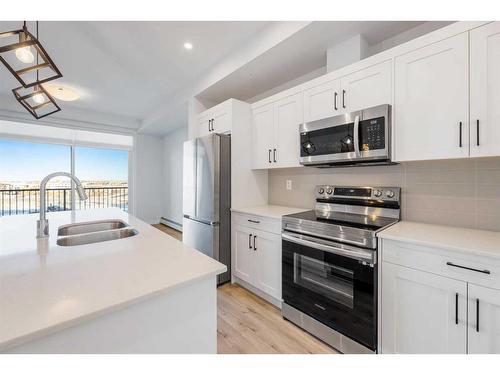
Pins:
<point x="256" y="257"/>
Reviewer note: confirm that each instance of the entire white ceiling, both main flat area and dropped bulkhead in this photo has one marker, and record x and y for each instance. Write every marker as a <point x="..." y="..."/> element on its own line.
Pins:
<point x="130" y="72"/>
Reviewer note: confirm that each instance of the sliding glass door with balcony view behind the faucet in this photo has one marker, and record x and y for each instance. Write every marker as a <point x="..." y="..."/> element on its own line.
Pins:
<point x="103" y="172"/>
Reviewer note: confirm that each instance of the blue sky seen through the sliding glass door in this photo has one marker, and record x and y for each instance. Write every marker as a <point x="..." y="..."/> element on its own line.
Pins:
<point x="29" y="161"/>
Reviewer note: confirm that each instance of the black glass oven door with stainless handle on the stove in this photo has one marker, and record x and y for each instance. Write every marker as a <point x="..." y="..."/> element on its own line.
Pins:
<point x="333" y="283"/>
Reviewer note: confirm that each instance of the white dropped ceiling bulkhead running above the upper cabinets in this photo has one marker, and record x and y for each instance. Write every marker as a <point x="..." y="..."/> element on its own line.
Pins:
<point x="302" y="53"/>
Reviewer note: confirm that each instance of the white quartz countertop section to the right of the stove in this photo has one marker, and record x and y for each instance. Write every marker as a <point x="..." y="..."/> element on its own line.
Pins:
<point x="472" y="241"/>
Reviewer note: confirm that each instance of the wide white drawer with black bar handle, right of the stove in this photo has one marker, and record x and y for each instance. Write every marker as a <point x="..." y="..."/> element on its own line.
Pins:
<point x="438" y="261"/>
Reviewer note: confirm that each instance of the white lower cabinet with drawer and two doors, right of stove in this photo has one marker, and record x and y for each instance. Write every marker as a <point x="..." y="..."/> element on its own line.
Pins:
<point x="433" y="301"/>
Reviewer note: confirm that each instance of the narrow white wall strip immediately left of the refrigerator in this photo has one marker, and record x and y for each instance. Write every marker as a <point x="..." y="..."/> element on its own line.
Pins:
<point x="172" y="174"/>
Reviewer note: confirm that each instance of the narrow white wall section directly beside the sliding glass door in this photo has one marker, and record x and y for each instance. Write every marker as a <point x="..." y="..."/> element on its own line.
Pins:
<point x="148" y="180"/>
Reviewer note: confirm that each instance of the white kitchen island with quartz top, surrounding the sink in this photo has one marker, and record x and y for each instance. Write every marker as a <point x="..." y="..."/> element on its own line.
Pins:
<point x="148" y="293"/>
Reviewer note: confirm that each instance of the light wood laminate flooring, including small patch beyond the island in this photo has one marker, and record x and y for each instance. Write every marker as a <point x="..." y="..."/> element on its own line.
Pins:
<point x="248" y="324"/>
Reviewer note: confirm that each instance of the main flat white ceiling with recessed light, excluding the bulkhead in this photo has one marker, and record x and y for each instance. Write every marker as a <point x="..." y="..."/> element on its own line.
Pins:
<point x="126" y="68"/>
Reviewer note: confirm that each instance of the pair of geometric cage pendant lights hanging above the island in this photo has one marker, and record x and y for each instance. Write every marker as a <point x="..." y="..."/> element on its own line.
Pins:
<point x="31" y="95"/>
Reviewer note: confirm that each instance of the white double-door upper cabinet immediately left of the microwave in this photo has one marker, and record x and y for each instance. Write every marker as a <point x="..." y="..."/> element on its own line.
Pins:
<point x="276" y="133"/>
